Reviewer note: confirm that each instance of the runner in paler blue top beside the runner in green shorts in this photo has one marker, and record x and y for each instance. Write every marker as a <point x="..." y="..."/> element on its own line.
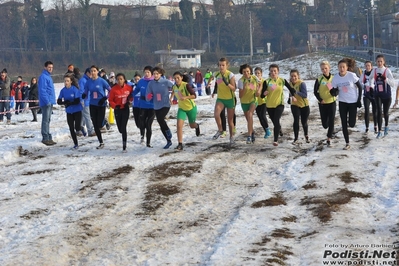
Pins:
<point x="159" y="90"/>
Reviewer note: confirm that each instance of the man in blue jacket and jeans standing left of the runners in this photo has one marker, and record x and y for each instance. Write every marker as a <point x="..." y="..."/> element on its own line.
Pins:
<point x="46" y="101"/>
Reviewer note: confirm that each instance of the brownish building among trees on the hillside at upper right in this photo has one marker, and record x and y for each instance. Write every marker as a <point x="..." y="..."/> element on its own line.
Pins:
<point x="328" y="35"/>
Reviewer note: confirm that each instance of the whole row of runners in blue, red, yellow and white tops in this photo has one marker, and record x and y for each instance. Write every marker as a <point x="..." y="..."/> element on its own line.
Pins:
<point x="154" y="95"/>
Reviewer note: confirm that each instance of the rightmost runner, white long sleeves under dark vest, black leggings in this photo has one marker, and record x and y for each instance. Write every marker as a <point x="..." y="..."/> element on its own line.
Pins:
<point x="382" y="81"/>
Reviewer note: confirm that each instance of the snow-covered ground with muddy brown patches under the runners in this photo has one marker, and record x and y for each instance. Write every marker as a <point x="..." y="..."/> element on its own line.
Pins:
<point x="207" y="205"/>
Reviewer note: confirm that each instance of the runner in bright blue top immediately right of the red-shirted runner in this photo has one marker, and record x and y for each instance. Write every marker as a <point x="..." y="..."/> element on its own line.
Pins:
<point x="147" y="113"/>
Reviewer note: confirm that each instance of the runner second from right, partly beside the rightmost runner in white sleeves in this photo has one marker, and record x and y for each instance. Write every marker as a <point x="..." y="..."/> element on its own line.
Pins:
<point x="368" y="96"/>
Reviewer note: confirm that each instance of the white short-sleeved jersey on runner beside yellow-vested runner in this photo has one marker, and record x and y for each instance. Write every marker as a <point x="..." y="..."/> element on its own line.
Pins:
<point x="348" y="91"/>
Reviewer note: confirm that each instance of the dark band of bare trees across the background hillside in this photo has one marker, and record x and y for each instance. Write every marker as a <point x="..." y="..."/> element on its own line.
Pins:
<point x="84" y="33"/>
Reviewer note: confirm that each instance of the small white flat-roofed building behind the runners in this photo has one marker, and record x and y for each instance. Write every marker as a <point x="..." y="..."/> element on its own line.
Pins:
<point x="182" y="58"/>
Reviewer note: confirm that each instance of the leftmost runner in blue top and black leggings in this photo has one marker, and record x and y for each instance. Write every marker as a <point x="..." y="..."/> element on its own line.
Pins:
<point x="70" y="98"/>
